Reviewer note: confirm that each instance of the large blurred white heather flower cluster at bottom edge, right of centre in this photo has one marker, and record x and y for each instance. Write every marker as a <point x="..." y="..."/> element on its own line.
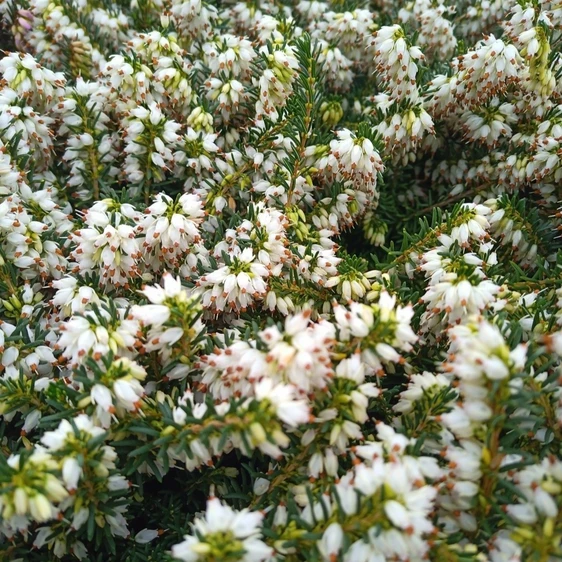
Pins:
<point x="406" y="510"/>
